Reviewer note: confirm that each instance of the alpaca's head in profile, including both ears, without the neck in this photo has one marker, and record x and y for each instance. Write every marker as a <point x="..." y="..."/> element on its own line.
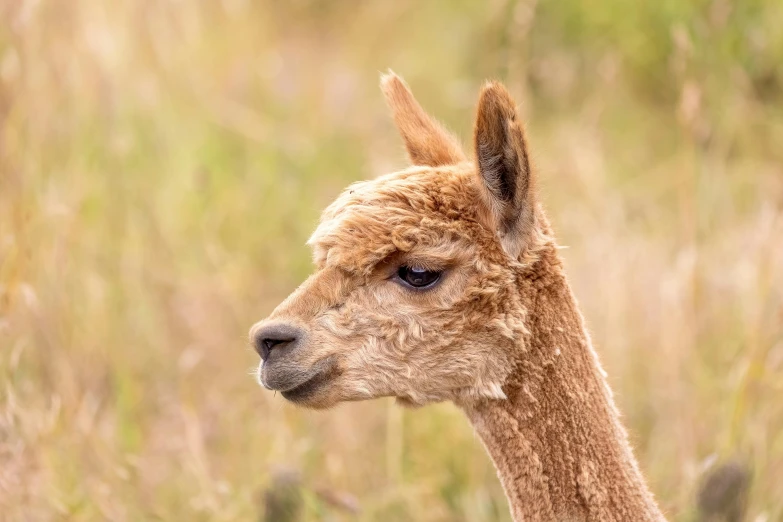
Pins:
<point x="413" y="294"/>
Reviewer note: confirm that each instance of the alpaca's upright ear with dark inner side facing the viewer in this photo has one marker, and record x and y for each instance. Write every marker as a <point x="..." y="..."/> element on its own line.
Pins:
<point x="504" y="168"/>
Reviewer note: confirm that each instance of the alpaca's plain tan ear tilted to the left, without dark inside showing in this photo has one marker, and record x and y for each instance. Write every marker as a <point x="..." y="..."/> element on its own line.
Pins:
<point x="426" y="140"/>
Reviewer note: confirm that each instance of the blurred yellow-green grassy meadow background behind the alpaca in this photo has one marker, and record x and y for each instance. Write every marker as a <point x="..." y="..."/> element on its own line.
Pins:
<point x="162" y="164"/>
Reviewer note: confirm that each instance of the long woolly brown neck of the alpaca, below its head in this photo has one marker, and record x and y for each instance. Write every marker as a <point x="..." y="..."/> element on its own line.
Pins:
<point x="556" y="441"/>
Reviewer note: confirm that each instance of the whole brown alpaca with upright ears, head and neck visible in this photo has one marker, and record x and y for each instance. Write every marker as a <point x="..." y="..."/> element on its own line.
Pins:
<point x="443" y="282"/>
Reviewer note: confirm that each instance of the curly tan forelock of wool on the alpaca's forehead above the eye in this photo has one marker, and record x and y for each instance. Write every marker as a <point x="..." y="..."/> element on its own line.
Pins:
<point x="416" y="207"/>
